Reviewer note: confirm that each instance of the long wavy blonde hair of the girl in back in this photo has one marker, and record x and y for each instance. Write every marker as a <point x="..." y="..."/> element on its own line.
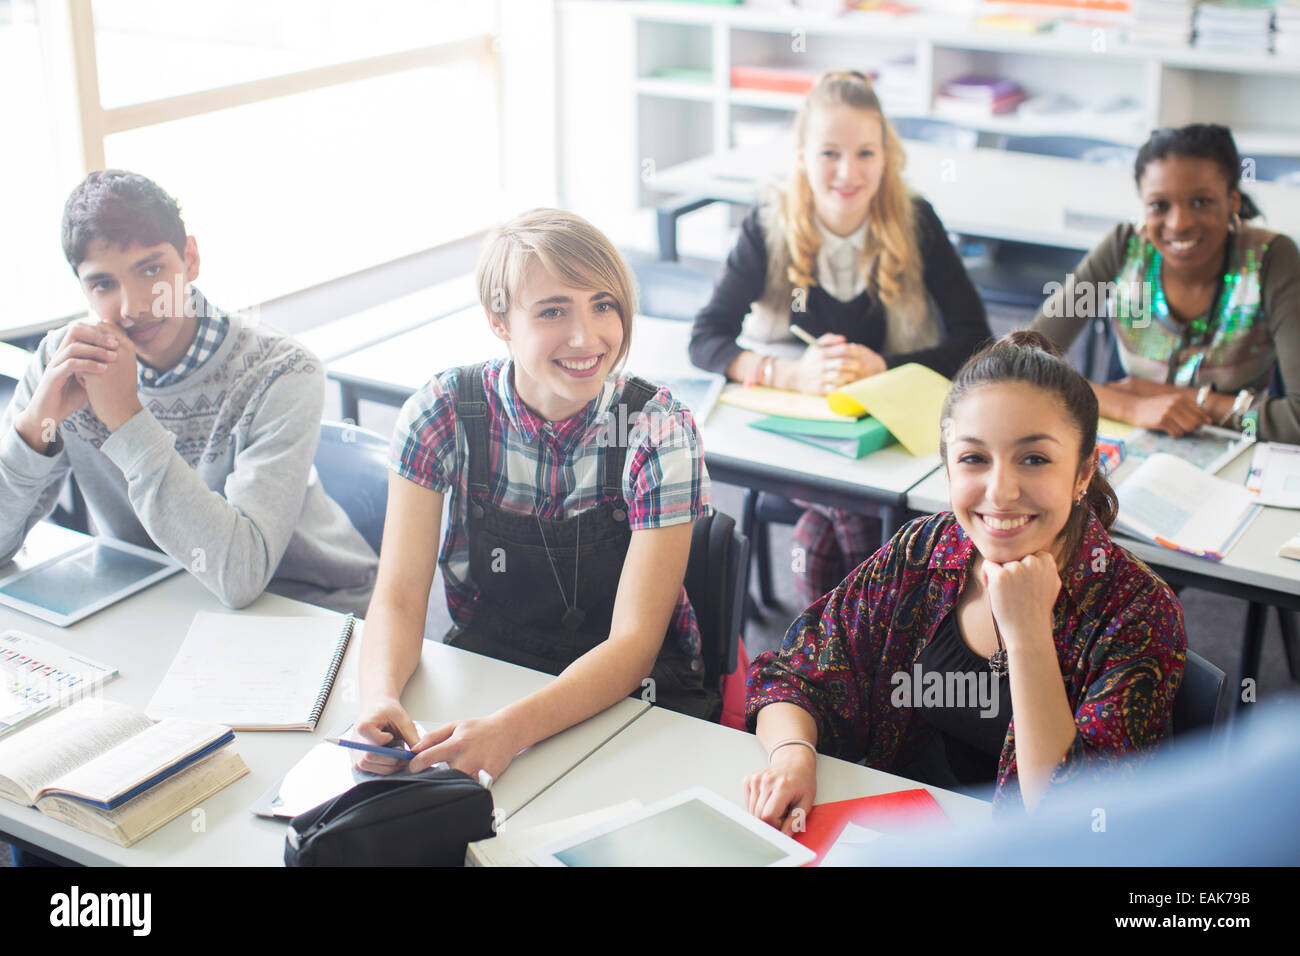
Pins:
<point x="891" y="262"/>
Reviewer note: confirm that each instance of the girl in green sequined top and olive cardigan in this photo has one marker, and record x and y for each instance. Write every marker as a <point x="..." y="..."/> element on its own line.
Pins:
<point x="1204" y="308"/>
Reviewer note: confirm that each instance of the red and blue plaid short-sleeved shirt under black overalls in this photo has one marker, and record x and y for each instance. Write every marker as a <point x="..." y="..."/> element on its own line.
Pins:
<point x="552" y="469"/>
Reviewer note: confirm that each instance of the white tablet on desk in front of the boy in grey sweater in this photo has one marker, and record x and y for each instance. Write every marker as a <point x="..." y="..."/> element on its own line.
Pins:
<point x="76" y="585"/>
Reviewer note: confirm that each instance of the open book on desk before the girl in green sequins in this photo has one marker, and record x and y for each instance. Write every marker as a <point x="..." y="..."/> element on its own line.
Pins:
<point x="1180" y="507"/>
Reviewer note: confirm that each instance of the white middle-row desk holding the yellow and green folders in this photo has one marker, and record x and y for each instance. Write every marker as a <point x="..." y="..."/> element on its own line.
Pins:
<point x="393" y="370"/>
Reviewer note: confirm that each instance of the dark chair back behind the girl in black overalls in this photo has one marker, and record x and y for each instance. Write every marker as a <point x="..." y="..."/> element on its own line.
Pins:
<point x="717" y="585"/>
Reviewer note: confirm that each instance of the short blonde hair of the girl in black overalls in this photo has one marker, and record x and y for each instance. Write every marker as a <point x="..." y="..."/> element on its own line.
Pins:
<point x="569" y="248"/>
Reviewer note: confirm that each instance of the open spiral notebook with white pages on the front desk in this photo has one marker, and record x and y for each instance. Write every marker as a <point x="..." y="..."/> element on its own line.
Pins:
<point x="255" y="673"/>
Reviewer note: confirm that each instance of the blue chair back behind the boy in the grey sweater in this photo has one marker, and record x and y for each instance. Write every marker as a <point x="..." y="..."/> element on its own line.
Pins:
<point x="353" y="466"/>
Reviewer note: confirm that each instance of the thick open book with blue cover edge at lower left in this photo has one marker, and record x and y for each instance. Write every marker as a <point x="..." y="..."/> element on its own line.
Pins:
<point x="110" y="771"/>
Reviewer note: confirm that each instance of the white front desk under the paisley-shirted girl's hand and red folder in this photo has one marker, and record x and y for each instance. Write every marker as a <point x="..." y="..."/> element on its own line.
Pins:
<point x="664" y="754"/>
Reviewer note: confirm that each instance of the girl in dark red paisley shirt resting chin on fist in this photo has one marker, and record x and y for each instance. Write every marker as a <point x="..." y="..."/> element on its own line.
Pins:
<point x="1015" y="603"/>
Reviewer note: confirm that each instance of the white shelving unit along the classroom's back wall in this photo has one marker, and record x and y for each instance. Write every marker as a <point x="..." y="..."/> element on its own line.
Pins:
<point x="670" y="67"/>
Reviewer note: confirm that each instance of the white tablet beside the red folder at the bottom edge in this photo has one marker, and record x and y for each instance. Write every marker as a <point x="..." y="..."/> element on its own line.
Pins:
<point x="696" y="828"/>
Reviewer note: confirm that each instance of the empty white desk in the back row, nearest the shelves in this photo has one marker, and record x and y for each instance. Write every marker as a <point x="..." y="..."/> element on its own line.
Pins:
<point x="982" y="192"/>
